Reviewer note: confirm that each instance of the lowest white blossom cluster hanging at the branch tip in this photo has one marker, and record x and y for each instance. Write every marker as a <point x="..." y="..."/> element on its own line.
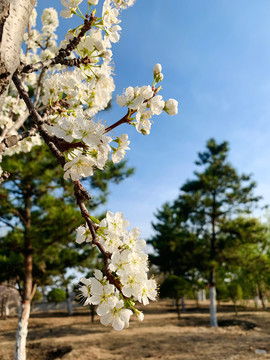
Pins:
<point x="127" y="267"/>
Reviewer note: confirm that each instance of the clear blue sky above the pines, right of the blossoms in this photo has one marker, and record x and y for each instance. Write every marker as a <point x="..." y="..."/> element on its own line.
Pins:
<point x="216" y="63"/>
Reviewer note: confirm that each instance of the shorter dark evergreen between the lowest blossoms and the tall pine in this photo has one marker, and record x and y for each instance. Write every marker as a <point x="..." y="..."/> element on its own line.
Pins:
<point x="178" y="250"/>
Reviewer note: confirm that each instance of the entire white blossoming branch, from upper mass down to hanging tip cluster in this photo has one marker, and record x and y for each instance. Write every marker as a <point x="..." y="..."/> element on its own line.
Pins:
<point x="71" y="83"/>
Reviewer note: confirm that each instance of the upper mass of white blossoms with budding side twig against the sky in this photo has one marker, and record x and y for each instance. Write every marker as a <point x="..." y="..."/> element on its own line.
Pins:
<point x="83" y="92"/>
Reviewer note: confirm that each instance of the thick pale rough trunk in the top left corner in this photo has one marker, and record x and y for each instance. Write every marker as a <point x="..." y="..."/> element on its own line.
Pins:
<point x="14" y="18"/>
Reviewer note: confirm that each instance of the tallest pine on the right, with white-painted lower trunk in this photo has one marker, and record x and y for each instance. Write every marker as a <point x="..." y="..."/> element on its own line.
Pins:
<point x="216" y="194"/>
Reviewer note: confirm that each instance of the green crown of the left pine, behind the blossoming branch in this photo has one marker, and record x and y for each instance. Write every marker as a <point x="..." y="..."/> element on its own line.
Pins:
<point x="39" y="210"/>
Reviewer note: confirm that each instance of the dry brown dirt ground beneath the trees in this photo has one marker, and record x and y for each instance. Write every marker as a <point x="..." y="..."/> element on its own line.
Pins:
<point x="54" y="336"/>
